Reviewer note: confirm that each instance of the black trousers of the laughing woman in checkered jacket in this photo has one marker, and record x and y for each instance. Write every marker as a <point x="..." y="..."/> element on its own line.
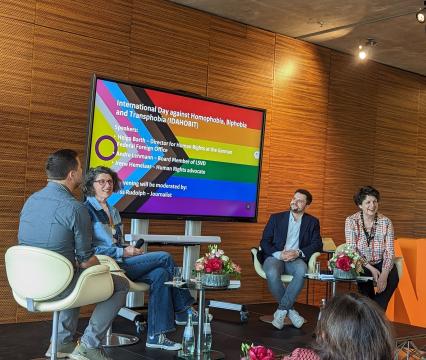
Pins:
<point x="383" y="298"/>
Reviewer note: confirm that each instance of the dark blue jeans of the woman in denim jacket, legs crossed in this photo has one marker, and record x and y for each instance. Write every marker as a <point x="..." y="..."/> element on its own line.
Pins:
<point x="155" y="268"/>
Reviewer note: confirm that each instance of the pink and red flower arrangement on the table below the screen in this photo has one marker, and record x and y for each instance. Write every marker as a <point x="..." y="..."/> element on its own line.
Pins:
<point x="216" y="268"/>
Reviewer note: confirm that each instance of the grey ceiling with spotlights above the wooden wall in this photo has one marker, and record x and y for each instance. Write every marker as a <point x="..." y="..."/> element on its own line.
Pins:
<point x="336" y="24"/>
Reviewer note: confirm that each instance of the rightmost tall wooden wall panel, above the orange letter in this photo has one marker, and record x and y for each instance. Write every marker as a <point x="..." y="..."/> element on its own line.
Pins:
<point x="396" y="147"/>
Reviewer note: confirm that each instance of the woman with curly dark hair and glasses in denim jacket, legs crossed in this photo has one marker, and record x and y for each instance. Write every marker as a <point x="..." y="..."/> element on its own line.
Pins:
<point x="167" y="305"/>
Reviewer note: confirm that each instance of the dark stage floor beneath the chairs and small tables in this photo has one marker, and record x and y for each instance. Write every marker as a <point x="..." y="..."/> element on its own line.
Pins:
<point x="30" y="340"/>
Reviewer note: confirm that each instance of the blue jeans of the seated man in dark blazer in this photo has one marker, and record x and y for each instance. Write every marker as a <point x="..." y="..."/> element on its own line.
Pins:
<point x="274" y="268"/>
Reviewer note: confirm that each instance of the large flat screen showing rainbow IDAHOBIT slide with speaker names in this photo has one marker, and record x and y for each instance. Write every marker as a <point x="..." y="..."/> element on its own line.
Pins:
<point x="180" y="156"/>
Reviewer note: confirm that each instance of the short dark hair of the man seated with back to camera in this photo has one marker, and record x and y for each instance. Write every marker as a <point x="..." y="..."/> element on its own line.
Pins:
<point x="60" y="163"/>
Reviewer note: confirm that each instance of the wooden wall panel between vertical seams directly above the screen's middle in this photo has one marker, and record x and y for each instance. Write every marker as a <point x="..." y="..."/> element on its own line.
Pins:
<point x="169" y="46"/>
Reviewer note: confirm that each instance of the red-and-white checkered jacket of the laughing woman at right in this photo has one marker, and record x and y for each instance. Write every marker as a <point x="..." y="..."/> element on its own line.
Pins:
<point x="381" y="247"/>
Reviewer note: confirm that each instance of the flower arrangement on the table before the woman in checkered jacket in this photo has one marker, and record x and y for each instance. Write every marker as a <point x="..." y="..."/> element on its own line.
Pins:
<point x="345" y="263"/>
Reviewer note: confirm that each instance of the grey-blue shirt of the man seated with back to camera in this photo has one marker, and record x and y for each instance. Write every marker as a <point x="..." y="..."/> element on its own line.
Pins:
<point x="54" y="220"/>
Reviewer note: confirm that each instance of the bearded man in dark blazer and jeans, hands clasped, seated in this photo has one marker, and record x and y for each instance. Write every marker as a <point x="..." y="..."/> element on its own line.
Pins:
<point x="288" y="241"/>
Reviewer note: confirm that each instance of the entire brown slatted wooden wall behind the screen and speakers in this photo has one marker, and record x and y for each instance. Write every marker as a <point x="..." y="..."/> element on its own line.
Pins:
<point x="331" y="125"/>
